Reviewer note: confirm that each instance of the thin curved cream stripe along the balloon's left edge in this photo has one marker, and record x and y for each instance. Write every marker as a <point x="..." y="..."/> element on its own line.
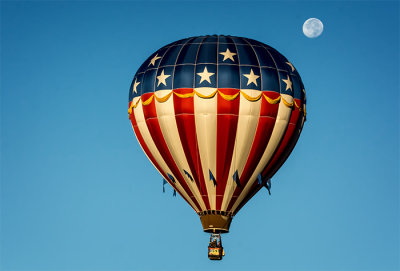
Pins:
<point x="145" y="133"/>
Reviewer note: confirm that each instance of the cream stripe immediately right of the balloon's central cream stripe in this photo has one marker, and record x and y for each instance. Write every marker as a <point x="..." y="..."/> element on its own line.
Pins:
<point x="249" y="113"/>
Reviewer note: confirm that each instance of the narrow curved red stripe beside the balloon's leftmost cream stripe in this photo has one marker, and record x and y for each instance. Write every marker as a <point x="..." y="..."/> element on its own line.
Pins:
<point x="150" y="115"/>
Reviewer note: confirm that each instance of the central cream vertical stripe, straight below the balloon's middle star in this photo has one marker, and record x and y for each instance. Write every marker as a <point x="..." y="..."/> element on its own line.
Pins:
<point x="205" y="111"/>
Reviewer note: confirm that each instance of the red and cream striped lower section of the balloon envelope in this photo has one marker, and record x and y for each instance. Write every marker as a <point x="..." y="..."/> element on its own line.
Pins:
<point x="189" y="137"/>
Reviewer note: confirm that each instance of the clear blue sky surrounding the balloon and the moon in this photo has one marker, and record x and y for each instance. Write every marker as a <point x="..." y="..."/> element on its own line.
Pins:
<point x="77" y="192"/>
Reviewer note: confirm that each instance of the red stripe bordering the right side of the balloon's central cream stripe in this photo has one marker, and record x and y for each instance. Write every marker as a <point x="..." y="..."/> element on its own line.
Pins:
<point x="227" y="121"/>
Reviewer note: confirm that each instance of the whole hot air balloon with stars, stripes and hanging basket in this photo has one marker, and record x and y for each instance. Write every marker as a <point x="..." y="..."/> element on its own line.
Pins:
<point x="217" y="116"/>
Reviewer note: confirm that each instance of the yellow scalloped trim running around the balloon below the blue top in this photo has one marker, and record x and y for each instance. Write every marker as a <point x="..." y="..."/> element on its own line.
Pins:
<point x="224" y="96"/>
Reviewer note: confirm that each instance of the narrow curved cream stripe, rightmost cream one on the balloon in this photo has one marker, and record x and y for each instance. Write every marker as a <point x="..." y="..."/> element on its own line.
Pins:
<point x="282" y="121"/>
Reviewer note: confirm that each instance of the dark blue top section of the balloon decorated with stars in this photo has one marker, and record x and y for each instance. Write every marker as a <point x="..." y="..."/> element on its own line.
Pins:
<point x="228" y="58"/>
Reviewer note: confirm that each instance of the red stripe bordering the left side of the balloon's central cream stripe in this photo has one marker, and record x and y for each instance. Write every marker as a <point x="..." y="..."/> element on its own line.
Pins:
<point x="185" y="121"/>
